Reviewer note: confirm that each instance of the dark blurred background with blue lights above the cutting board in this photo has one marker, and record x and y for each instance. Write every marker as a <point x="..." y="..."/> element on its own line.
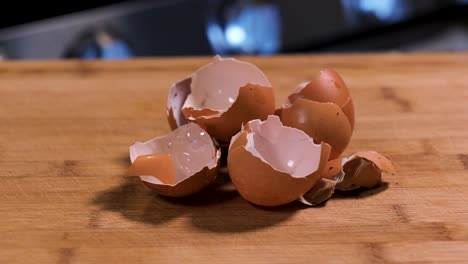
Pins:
<point x="126" y="29"/>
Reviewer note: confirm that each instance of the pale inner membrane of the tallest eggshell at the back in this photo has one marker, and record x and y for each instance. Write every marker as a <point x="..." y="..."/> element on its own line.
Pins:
<point x="216" y="85"/>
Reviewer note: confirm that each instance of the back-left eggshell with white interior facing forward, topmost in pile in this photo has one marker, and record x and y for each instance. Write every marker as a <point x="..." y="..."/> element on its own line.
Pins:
<point x="220" y="97"/>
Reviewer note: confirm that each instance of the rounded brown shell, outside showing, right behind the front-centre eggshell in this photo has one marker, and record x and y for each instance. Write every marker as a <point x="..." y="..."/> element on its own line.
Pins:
<point x="322" y="121"/>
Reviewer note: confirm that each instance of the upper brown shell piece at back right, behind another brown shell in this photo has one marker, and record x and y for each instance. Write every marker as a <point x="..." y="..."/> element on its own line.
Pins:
<point x="327" y="87"/>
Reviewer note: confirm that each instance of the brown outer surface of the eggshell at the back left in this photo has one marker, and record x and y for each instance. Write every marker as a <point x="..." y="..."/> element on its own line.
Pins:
<point x="253" y="102"/>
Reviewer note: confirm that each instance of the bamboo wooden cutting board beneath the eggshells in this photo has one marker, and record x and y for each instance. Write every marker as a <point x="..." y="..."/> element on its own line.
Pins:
<point x="65" y="129"/>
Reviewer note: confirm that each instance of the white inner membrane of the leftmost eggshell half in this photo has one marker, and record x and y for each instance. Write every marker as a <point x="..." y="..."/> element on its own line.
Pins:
<point x="191" y="148"/>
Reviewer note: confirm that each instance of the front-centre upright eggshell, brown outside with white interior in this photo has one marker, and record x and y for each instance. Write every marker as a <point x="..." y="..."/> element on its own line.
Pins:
<point x="271" y="164"/>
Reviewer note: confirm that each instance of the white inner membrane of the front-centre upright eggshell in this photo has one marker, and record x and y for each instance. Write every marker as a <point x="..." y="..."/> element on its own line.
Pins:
<point x="285" y="149"/>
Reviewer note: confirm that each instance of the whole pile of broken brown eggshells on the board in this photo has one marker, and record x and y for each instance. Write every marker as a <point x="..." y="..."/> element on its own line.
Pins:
<point x="225" y="111"/>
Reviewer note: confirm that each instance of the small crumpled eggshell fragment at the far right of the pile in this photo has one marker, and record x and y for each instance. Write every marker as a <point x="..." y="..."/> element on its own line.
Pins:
<point x="364" y="169"/>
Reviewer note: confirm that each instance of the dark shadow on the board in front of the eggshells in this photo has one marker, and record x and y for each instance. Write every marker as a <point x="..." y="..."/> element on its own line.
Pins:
<point x="217" y="209"/>
